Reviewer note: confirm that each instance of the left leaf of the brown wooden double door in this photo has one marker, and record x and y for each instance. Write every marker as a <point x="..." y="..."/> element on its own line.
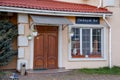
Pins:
<point x="39" y="50"/>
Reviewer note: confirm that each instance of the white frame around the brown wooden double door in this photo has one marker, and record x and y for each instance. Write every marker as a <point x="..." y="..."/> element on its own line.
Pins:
<point x="59" y="46"/>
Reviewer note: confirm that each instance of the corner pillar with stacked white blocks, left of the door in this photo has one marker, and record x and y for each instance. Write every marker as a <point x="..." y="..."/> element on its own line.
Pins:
<point x="23" y="47"/>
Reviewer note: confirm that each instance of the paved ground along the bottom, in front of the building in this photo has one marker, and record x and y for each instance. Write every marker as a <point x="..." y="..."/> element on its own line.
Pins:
<point x="69" y="76"/>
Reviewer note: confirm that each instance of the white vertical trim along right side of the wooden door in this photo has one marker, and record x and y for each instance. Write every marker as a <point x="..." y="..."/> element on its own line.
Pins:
<point x="60" y="47"/>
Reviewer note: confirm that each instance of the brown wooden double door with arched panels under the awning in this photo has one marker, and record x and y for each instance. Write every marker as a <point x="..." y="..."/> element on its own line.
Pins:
<point x="46" y="48"/>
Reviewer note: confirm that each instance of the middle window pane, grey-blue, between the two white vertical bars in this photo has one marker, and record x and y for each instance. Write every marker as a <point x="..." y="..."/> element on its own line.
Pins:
<point x="86" y="41"/>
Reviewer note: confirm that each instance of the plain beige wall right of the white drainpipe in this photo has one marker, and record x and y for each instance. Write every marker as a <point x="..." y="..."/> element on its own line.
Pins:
<point x="115" y="23"/>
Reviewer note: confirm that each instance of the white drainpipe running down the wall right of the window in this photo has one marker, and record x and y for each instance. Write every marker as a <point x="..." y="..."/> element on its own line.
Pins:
<point x="110" y="41"/>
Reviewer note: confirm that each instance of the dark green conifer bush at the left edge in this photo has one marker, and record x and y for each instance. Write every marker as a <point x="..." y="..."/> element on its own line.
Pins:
<point x="8" y="32"/>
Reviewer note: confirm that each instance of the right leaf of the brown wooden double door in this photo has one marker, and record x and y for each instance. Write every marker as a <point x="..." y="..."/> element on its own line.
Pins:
<point x="51" y="57"/>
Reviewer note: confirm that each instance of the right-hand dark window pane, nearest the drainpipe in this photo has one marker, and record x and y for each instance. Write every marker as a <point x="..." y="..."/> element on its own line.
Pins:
<point x="96" y="35"/>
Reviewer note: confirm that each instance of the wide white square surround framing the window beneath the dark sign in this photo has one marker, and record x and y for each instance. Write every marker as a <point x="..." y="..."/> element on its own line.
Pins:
<point x="87" y="26"/>
